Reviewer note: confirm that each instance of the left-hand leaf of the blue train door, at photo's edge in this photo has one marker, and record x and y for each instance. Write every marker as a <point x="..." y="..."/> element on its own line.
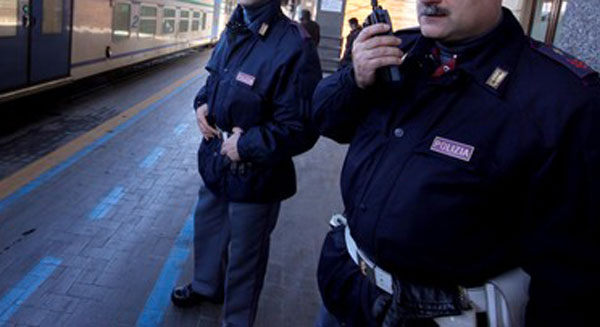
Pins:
<point x="14" y="38"/>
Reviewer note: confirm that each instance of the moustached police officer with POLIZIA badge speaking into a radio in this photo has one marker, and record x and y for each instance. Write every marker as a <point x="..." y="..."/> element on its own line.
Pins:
<point x="482" y="158"/>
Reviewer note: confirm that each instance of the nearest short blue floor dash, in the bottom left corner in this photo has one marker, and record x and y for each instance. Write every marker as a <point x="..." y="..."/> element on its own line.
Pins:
<point x="10" y="303"/>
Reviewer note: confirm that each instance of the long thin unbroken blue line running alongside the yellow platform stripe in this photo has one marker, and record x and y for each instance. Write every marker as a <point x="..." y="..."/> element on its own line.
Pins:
<point x="26" y="189"/>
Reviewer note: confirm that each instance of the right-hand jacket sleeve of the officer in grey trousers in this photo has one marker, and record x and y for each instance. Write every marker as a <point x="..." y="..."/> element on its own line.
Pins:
<point x="288" y="132"/>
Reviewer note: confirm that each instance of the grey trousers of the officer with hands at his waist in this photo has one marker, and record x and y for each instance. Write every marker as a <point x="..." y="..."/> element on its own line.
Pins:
<point x="231" y="250"/>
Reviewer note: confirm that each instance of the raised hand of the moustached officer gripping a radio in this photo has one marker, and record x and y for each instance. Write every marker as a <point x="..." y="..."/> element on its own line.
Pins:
<point x="371" y="52"/>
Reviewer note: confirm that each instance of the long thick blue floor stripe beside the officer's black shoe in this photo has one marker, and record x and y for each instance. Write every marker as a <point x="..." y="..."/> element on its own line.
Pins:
<point x="159" y="299"/>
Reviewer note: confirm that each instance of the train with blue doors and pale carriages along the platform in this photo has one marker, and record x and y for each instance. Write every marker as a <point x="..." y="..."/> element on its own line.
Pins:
<point x="44" y="44"/>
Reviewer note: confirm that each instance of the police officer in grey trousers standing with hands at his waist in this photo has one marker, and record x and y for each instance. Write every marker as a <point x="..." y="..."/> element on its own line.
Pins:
<point x="252" y="113"/>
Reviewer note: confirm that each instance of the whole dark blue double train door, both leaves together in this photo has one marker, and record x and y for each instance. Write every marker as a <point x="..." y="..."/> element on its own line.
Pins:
<point x="35" y="37"/>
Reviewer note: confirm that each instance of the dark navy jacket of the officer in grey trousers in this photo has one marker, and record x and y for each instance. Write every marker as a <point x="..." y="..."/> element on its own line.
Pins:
<point x="261" y="79"/>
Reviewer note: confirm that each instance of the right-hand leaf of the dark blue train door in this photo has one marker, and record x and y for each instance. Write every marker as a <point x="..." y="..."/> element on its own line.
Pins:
<point x="50" y="39"/>
